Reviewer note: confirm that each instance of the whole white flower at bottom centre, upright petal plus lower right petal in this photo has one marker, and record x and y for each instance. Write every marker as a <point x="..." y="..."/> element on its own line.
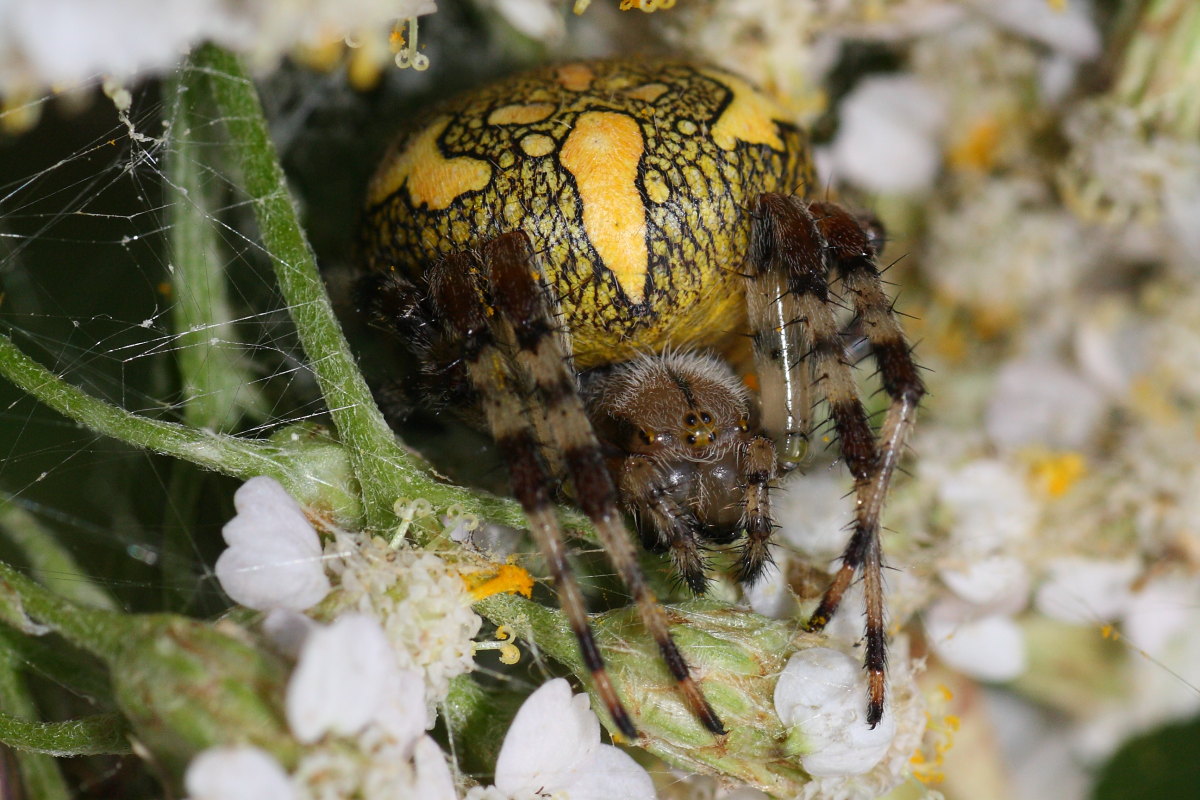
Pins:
<point x="554" y="750"/>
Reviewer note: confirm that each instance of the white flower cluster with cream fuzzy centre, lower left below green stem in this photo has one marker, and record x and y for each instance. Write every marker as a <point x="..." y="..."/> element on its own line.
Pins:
<point x="364" y="689"/>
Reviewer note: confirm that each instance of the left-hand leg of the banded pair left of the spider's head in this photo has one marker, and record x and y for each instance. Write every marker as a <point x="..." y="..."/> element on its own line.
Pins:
<point x="467" y="318"/>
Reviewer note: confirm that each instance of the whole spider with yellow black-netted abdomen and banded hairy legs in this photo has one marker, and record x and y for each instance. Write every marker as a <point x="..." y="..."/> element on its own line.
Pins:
<point x="586" y="258"/>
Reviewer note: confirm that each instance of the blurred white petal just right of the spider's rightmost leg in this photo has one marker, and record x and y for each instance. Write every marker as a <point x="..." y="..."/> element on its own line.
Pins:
<point x="985" y="646"/>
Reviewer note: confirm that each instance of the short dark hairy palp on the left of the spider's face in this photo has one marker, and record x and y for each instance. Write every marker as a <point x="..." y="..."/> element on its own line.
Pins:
<point x="651" y="501"/>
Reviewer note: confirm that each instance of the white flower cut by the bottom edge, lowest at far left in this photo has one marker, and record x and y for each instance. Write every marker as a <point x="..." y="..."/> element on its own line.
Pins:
<point x="237" y="774"/>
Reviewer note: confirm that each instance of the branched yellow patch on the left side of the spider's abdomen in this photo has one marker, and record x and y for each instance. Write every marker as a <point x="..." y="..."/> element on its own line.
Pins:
<point x="433" y="179"/>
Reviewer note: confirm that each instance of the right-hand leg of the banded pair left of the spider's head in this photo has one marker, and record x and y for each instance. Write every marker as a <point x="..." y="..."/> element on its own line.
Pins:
<point x="526" y="323"/>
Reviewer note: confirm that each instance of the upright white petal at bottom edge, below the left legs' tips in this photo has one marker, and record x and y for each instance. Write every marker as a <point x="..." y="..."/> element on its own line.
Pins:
<point x="554" y="735"/>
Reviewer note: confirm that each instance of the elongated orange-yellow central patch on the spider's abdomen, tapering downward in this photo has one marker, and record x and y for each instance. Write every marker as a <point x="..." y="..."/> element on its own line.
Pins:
<point x="603" y="153"/>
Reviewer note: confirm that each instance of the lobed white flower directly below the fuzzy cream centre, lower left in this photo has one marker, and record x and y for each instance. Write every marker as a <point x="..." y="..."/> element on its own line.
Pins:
<point x="347" y="678"/>
